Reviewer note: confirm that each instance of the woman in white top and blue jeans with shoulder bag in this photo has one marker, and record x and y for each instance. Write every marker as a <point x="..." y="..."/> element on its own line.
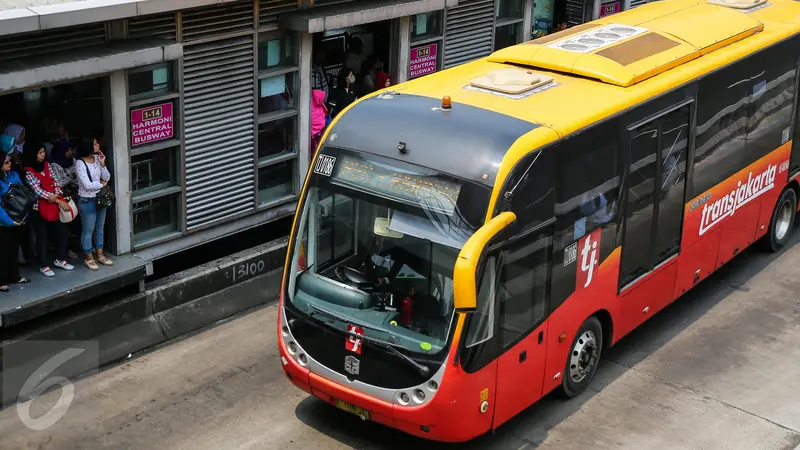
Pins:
<point x="92" y="175"/>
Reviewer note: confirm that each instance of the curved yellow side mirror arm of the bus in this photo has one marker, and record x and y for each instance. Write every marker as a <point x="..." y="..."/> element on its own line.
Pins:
<point x="464" y="275"/>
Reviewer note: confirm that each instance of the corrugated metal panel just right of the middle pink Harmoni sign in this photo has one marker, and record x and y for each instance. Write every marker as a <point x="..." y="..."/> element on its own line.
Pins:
<point x="470" y="31"/>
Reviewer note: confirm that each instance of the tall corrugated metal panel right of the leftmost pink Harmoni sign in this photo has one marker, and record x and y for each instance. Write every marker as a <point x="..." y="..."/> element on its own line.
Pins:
<point x="219" y="112"/>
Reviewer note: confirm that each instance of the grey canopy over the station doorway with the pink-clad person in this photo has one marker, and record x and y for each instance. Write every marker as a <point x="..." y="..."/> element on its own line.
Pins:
<point x="342" y="15"/>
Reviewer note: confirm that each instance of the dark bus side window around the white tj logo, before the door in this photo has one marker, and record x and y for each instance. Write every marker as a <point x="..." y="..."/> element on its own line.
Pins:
<point x="587" y="197"/>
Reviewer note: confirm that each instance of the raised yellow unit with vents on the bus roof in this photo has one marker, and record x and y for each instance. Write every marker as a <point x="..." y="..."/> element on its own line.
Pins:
<point x="635" y="47"/>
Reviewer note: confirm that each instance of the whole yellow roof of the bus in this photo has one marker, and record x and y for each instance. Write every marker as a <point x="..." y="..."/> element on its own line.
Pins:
<point x="705" y="37"/>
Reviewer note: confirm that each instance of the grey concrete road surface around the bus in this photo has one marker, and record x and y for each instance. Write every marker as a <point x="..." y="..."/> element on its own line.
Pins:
<point x="716" y="370"/>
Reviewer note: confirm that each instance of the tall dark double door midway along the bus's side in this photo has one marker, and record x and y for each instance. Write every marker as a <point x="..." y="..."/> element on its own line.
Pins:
<point x="653" y="207"/>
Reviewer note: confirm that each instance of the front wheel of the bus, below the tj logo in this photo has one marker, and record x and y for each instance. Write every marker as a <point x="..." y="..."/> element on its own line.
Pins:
<point x="583" y="358"/>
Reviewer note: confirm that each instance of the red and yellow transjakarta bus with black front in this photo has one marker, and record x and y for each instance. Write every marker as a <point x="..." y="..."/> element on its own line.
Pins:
<point x="469" y="241"/>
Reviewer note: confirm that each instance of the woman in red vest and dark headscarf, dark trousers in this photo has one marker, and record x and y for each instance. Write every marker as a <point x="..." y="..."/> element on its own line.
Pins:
<point x="46" y="185"/>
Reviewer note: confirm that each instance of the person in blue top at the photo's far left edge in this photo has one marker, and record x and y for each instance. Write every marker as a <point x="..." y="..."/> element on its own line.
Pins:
<point x="9" y="231"/>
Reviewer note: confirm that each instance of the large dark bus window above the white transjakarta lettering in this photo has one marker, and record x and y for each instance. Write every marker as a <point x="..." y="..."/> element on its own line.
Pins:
<point x="743" y="113"/>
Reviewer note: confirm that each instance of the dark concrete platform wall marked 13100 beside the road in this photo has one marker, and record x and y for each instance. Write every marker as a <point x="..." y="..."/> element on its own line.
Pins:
<point x="168" y="309"/>
